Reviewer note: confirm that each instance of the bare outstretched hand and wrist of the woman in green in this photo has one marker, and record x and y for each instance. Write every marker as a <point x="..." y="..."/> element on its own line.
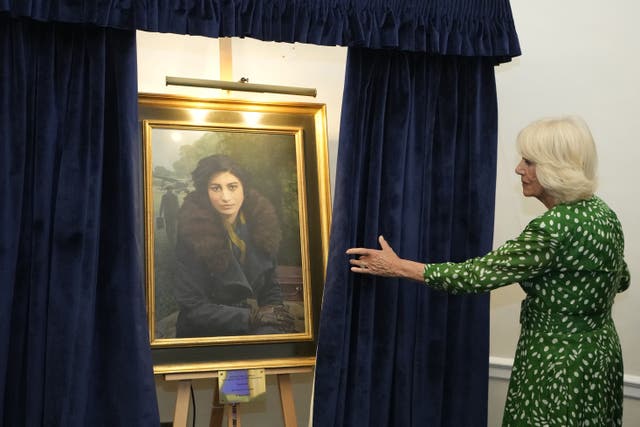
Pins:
<point x="384" y="262"/>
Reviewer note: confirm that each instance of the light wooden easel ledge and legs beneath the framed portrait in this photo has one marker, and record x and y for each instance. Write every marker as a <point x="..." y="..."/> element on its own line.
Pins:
<point x="187" y="373"/>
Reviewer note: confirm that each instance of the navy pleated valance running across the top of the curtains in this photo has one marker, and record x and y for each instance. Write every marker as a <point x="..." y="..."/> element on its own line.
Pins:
<point x="445" y="27"/>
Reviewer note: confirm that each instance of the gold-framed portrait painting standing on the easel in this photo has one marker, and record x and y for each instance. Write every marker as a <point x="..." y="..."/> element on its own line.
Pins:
<point x="201" y="314"/>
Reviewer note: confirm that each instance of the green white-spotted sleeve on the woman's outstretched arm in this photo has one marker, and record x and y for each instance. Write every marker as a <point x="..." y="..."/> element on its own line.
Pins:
<point x="529" y="255"/>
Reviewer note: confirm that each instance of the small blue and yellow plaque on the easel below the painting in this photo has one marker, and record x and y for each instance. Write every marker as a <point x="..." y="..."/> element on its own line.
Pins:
<point x="241" y="385"/>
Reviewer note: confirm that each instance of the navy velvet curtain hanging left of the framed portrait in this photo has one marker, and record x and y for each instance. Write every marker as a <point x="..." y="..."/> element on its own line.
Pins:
<point x="72" y="322"/>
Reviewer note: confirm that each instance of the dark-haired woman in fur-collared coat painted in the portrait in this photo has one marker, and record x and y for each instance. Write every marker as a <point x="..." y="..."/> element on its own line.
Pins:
<point x="228" y="238"/>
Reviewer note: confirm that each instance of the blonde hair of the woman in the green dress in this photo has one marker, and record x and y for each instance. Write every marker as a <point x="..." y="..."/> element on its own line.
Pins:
<point x="563" y="150"/>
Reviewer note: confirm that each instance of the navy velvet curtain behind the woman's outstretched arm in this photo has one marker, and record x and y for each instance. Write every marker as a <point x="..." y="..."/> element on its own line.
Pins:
<point x="416" y="163"/>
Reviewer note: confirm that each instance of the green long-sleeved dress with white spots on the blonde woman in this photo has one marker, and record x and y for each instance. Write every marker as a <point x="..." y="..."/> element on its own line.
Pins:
<point x="568" y="365"/>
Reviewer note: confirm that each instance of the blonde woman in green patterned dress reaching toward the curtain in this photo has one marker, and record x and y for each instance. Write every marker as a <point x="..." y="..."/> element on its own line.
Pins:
<point x="570" y="263"/>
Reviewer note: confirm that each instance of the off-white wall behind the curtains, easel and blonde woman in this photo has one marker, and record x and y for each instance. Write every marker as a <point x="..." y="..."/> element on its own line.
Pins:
<point x="579" y="57"/>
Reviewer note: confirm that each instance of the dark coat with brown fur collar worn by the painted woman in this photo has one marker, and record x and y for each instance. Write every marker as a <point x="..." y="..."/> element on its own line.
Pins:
<point x="212" y="286"/>
